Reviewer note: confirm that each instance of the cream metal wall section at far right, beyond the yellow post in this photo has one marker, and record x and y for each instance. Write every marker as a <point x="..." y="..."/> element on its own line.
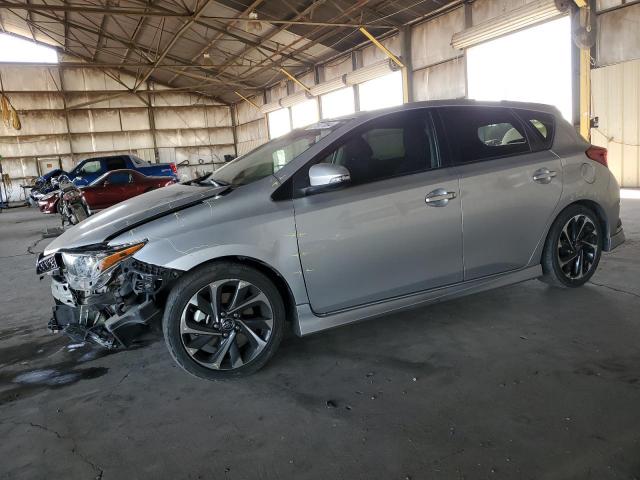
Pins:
<point x="615" y="89"/>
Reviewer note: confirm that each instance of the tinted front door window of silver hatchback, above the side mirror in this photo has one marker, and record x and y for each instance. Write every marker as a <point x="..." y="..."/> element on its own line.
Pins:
<point x="396" y="144"/>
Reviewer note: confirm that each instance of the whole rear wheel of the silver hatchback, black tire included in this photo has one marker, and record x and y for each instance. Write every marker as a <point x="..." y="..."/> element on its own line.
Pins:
<point x="554" y="273"/>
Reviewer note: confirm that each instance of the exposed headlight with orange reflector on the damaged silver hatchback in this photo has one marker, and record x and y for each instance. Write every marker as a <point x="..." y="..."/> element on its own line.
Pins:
<point x="91" y="270"/>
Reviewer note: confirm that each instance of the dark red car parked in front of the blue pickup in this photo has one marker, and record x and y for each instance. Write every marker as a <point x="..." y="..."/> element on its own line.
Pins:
<point x="118" y="185"/>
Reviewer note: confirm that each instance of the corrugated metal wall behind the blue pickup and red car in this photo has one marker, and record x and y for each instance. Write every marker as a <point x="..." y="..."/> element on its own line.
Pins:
<point x="188" y="127"/>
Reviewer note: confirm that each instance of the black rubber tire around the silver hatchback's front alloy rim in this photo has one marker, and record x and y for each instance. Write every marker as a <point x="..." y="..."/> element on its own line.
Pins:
<point x="192" y="284"/>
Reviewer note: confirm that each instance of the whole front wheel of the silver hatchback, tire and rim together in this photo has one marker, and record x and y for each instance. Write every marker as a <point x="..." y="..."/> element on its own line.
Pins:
<point x="223" y="320"/>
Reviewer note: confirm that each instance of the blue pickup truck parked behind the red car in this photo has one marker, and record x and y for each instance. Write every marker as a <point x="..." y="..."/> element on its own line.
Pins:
<point x="88" y="170"/>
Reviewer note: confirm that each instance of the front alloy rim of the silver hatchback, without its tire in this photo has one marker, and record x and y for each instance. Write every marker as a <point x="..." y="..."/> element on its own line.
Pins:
<point x="226" y="324"/>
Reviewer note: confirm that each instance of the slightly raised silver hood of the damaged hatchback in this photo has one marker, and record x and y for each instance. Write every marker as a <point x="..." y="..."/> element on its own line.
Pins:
<point x="131" y="213"/>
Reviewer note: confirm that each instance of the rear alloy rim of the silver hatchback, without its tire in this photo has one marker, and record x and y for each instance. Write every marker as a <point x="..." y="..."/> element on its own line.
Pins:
<point x="578" y="247"/>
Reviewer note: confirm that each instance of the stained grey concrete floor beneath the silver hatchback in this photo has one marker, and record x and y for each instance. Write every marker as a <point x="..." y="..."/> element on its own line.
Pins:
<point x="523" y="382"/>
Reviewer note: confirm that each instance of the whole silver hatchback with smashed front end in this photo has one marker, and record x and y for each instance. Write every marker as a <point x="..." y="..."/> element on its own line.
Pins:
<point x="337" y="222"/>
